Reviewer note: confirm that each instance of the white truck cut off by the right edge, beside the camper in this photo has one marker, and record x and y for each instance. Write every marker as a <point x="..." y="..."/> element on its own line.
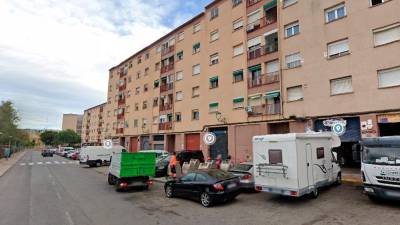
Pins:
<point x="380" y="167"/>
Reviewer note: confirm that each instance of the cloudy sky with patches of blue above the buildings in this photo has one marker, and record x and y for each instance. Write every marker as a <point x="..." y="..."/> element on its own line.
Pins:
<point x="55" y="54"/>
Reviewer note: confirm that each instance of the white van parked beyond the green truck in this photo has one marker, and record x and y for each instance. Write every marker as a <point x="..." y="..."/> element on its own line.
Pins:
<point x="98" y="155"/>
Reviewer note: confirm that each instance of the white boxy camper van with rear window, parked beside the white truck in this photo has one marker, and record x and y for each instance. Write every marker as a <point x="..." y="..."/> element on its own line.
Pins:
<point x="295" y="164"/>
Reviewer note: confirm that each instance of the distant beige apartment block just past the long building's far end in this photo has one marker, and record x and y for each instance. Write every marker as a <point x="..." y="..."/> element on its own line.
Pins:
<point x="93" y="130"/>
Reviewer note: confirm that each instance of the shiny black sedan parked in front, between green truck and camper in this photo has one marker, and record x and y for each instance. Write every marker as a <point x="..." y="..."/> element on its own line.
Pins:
<point x="207" y="186"/>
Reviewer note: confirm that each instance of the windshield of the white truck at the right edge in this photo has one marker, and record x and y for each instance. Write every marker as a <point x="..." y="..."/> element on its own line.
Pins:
<point x="382" y="155"/>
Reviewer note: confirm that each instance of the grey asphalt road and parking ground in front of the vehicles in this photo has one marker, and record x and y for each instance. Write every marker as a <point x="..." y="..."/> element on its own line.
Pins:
<point x="38" y="191"/>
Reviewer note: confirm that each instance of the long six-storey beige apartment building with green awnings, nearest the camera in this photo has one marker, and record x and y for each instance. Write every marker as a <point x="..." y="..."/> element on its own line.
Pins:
<point x="243" y="68"/>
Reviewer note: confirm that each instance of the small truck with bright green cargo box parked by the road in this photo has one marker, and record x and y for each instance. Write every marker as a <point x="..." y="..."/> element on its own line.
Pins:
<point x="131" y="170"/>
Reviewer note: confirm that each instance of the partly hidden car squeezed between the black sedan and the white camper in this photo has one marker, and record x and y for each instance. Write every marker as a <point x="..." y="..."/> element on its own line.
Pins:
<point x="245" y="172"/>
